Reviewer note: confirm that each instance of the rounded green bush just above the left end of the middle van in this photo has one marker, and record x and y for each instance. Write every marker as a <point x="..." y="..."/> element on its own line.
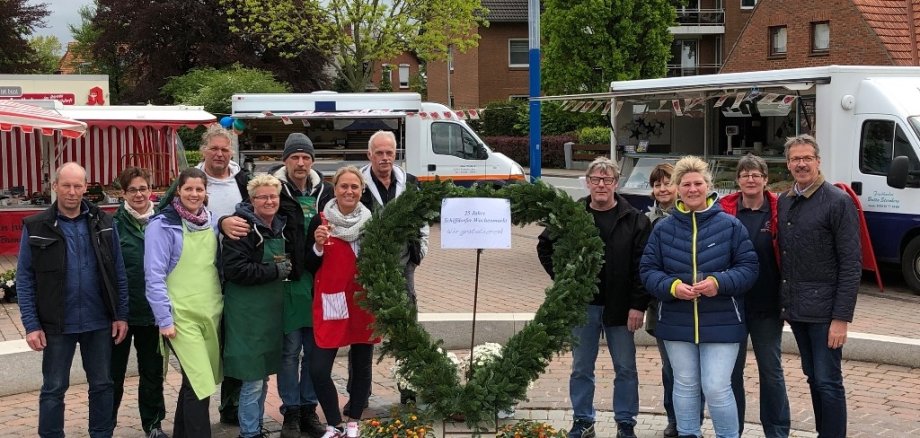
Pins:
<point x="212" y="88"/>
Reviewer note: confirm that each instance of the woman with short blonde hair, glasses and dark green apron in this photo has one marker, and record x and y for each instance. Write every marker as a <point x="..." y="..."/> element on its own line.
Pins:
<point x="255" y="268"/>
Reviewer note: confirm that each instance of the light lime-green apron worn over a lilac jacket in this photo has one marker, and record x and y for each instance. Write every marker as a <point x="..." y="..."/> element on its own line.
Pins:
<point x="194" y="292"/>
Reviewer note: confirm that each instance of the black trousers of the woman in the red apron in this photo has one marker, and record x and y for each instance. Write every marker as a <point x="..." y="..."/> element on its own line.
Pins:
<point x="360" y="364"/>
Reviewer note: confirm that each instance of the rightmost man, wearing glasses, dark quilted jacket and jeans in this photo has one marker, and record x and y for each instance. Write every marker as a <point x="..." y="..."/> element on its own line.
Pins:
<point x="821" y="266"/>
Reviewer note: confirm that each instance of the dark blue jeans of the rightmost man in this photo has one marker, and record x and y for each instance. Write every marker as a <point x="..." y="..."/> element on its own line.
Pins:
<point x="825" y="380"/>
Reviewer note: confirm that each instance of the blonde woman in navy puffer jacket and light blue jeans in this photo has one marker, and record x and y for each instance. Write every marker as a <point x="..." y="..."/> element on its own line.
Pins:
<point x="698" y="263"/>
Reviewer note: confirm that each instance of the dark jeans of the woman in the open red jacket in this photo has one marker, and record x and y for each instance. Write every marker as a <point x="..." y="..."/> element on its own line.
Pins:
<point x="766" y="336"/>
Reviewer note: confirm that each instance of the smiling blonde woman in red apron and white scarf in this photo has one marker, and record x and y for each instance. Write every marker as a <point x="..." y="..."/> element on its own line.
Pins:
<point x="338" y="320"/>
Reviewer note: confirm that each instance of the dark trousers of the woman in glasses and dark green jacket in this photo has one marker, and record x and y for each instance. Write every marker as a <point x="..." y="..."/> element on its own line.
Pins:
<point x="150" y="401"/>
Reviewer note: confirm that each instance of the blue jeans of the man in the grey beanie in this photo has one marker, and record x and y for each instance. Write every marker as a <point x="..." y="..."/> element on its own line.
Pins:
<point x="295" y="387"/>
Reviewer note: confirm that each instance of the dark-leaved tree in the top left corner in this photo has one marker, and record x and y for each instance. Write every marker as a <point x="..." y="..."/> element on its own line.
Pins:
<point x="18" y="20"/>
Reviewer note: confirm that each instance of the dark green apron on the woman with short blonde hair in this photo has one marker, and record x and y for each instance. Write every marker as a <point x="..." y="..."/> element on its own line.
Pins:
<point x="252" y="347"/>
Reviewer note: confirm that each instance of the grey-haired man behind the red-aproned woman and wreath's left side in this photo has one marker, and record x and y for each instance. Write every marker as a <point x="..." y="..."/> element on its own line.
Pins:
<point x="383" y="182"/>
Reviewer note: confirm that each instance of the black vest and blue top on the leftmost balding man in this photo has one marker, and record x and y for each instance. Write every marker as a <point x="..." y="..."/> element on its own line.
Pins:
<point x="71" y="276"/>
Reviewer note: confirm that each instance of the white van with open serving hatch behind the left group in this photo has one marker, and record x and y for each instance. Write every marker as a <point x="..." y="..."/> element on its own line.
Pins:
<point x="433" y="140"/>
